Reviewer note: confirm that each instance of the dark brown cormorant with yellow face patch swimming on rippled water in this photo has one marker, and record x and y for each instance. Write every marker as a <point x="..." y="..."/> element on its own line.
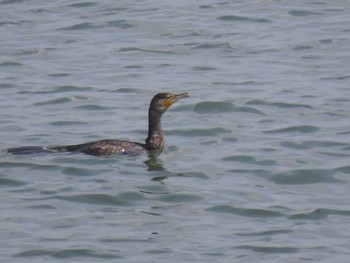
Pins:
<point x="155" y="140"/>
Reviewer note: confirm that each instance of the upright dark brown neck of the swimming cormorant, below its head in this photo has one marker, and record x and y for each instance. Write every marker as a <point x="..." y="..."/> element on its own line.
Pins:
<point x="155" y="134"/>
